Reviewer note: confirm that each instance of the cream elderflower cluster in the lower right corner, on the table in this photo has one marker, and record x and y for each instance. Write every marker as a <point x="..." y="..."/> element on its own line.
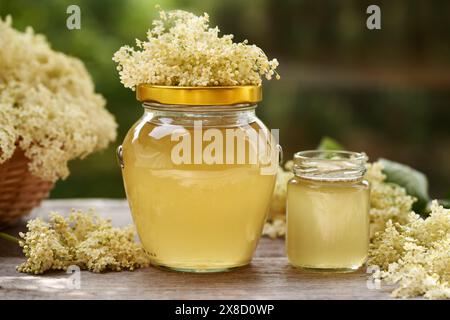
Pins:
<point x="415" y="255"/>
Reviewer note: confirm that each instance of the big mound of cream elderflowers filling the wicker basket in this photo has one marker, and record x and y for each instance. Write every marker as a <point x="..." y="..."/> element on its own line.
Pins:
<point x="48" y="105"/>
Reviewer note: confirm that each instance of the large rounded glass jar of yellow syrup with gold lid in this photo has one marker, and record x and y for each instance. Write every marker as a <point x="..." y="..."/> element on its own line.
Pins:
<point x="199" y="196"/>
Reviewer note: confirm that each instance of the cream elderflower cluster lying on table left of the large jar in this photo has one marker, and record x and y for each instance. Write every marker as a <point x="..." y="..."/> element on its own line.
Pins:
<point x="82" y="239"/>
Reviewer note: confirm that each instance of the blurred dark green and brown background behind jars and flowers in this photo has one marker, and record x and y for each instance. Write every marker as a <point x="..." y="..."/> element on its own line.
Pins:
<point x="386" y="92"/>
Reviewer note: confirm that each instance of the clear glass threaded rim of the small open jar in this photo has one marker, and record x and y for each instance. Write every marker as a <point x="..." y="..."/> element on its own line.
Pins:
<point x="330" y="165"/>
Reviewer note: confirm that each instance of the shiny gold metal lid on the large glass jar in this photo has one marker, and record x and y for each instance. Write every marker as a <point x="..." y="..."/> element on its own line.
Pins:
<point x="199" y="96"/>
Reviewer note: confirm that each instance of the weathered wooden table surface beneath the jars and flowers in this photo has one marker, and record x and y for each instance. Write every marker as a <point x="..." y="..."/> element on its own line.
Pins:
<point x="268" y="277"/>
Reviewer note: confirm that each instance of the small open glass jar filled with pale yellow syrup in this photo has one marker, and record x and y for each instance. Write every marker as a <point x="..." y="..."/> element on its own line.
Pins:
<point x="328" y="211"/>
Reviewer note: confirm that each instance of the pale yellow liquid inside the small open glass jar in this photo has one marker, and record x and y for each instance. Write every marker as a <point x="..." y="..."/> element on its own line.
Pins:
<point x="327" y="224"/>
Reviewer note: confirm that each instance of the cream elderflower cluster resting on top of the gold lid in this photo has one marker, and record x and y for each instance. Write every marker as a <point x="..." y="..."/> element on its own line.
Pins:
<point x="182" y="50"/>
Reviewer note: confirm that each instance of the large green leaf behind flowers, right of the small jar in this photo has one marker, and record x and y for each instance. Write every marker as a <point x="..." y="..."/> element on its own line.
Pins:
<point x="414" y="182"/>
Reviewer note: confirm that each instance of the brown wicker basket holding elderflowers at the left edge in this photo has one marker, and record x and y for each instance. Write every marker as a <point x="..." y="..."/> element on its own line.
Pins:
<point x="20" y="191"/>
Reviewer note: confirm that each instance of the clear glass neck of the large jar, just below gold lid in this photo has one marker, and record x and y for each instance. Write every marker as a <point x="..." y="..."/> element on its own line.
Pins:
<point x="217" y="116"/>
